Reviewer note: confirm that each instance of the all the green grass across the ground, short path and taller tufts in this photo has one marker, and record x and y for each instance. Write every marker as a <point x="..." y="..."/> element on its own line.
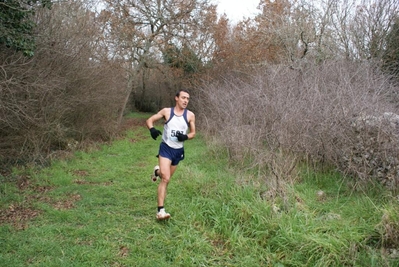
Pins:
<point x="98" y="209"/>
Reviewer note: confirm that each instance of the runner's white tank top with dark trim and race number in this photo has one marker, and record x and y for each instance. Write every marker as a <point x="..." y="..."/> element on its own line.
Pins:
<point x="174" y="125"/>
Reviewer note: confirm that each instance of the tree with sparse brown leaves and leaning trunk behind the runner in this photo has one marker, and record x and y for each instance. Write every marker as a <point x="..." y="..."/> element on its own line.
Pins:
<point x="141" y="31"/>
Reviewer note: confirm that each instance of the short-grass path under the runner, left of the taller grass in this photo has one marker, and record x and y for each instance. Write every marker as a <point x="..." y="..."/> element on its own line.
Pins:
<point x="98" y="209"/>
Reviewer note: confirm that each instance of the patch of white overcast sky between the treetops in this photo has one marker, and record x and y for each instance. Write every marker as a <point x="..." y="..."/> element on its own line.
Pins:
<point x="237" y="9"/>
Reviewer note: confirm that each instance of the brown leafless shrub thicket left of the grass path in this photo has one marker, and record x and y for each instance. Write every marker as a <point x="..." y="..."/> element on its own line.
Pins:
<point x="65" y="93"/>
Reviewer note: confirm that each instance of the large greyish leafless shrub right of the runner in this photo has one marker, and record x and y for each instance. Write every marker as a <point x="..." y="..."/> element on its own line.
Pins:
<point x="307" y="111"/>
